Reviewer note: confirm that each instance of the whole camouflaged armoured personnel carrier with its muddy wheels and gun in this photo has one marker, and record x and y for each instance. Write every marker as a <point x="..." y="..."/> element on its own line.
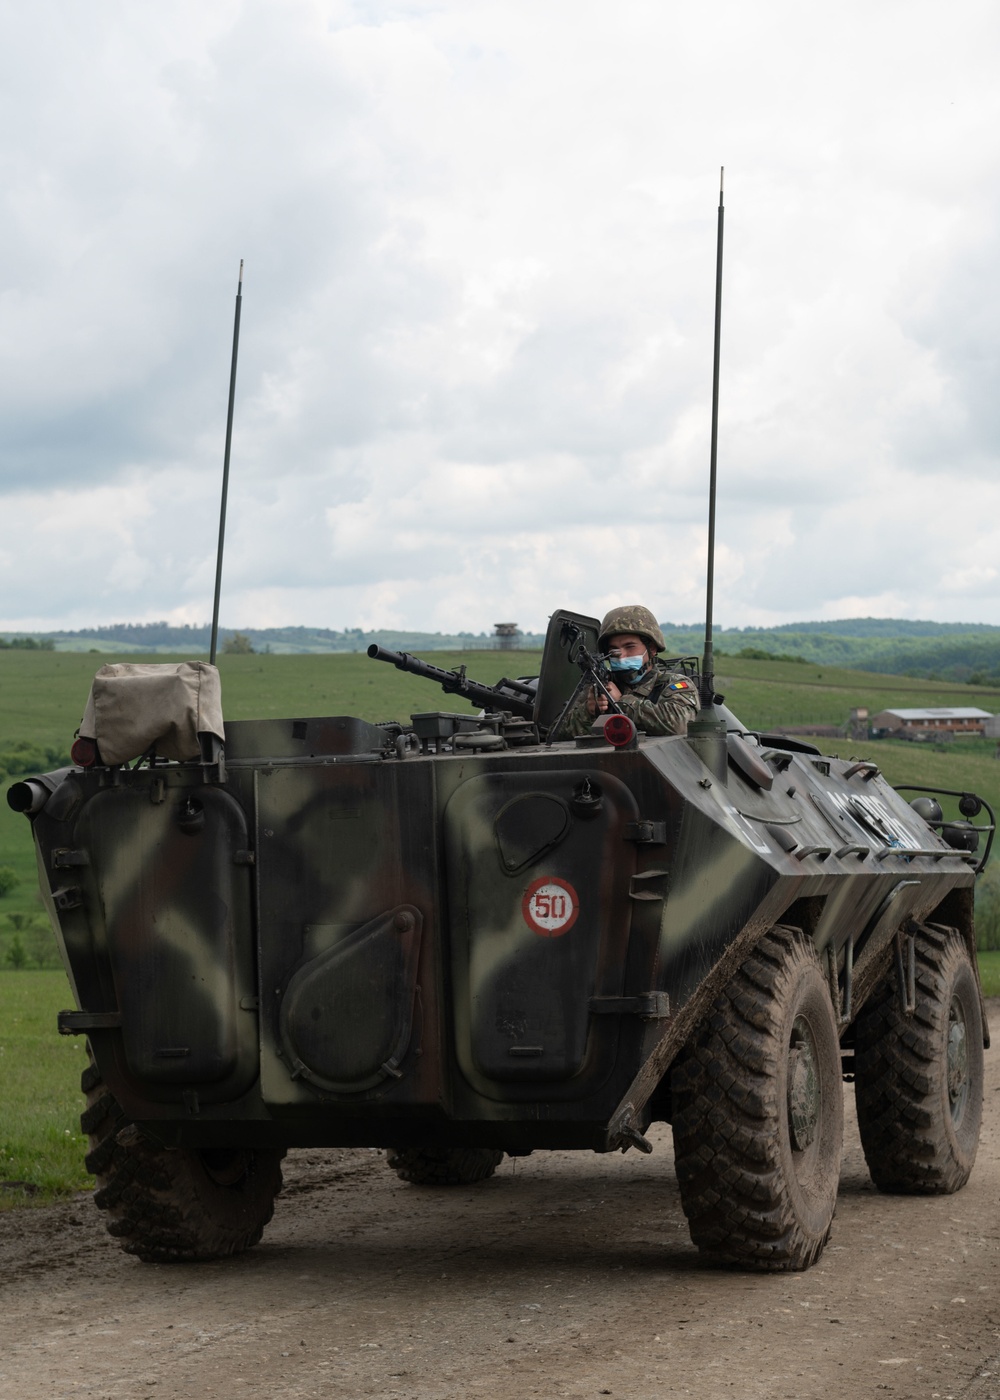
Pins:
<point x="454" y="939"/>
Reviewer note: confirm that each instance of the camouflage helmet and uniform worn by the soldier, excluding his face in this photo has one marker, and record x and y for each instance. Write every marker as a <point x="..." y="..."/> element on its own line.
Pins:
<point x="659" y="702"/>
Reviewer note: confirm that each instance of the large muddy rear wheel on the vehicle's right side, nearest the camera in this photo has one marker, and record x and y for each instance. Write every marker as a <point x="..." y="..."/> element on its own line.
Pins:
<point x="758" y="1112"/>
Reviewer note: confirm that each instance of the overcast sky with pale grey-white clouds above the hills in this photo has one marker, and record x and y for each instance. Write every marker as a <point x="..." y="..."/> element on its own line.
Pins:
<point x="475" y="365"/>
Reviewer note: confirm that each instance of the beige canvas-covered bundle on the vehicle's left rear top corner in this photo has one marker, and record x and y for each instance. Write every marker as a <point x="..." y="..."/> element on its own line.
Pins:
<point x="135" y="708"/>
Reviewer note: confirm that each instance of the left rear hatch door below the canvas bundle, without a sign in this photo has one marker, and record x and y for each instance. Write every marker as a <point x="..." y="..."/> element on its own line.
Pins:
<point x="176" y="902"/>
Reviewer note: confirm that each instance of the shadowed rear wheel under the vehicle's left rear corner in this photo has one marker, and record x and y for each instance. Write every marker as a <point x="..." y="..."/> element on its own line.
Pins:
<point x="174" y="1206"/>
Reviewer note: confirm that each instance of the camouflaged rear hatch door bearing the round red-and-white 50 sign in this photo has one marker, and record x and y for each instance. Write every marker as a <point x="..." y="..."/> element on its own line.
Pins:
<point x="539" y="884"/>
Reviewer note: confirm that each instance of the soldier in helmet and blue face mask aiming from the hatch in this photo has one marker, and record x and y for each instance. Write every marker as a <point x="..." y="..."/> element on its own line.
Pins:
<point x="656" y="699"/>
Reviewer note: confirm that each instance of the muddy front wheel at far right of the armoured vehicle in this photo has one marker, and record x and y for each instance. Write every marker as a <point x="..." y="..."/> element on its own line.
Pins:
<point x="919" y="1079"/>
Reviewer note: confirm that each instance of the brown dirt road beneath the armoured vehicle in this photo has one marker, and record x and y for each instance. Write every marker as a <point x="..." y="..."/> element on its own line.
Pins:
<point x="568" y="1275"/>
